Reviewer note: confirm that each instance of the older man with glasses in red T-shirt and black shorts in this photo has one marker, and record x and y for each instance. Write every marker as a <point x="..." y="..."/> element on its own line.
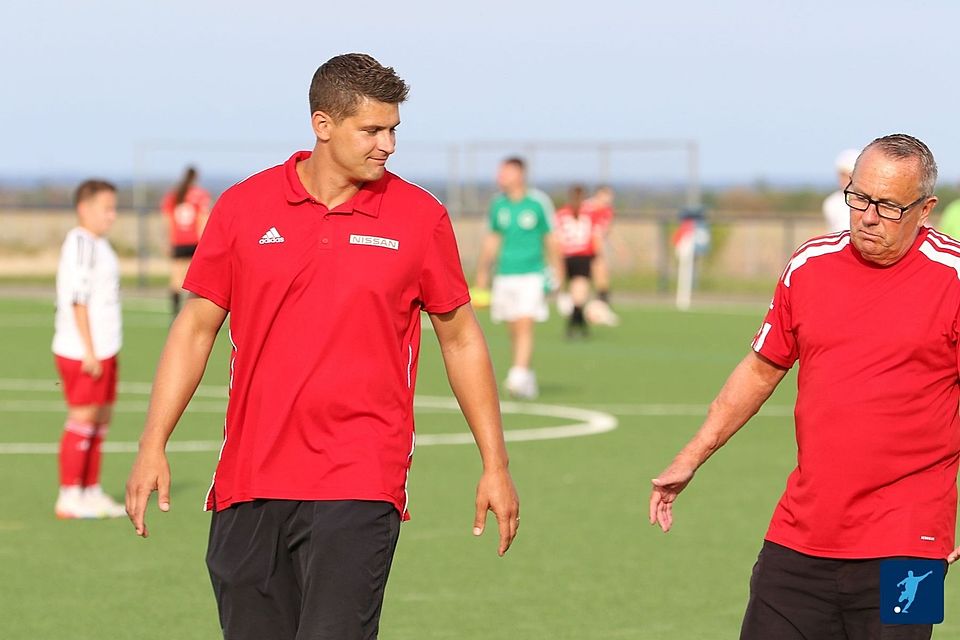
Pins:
<point x="872" y="315"/>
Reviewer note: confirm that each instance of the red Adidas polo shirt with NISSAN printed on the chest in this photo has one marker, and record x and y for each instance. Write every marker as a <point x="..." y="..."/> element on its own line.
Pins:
<point x="325" y="325"/>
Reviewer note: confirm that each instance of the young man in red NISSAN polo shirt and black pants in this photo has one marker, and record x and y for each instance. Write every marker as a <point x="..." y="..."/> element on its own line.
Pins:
<point x="324" y="265"/>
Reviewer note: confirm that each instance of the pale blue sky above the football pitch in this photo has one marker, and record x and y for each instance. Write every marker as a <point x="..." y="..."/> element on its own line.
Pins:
<point x="769" y="89"/>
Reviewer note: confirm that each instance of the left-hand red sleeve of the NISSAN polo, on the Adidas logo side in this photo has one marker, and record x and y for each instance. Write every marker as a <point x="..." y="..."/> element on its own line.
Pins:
<point x="210" y="274"/>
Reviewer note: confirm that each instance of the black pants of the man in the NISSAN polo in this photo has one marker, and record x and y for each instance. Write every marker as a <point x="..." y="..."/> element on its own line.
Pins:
<point x="286" y="569"/>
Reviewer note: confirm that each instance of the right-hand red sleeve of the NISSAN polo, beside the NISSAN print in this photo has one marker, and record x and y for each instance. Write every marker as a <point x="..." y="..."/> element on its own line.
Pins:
<point x="443" y="287"/>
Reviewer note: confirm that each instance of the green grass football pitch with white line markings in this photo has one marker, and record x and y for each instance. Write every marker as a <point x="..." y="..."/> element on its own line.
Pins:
<point x="586" y="564"/>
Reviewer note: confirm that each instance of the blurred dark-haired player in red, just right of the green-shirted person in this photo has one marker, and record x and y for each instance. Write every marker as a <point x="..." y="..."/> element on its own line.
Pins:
<point x="579" y="241"/>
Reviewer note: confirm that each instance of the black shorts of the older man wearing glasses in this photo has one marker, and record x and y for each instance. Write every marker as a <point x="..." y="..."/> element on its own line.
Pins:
<point x="794" y="596"/>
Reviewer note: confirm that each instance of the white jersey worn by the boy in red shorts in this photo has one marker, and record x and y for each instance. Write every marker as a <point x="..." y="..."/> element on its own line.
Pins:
<point x="88" y="274"/>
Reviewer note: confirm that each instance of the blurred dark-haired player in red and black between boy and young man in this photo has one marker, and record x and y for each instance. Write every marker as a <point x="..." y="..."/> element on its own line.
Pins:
<point x="186" y="208"/>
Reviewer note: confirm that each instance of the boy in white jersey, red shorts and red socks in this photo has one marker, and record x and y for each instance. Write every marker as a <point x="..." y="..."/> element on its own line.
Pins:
<point x="86" y="341"/>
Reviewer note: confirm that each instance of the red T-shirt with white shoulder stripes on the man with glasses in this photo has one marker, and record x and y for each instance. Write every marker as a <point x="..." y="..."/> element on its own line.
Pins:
<point x="877" y="426"/>
